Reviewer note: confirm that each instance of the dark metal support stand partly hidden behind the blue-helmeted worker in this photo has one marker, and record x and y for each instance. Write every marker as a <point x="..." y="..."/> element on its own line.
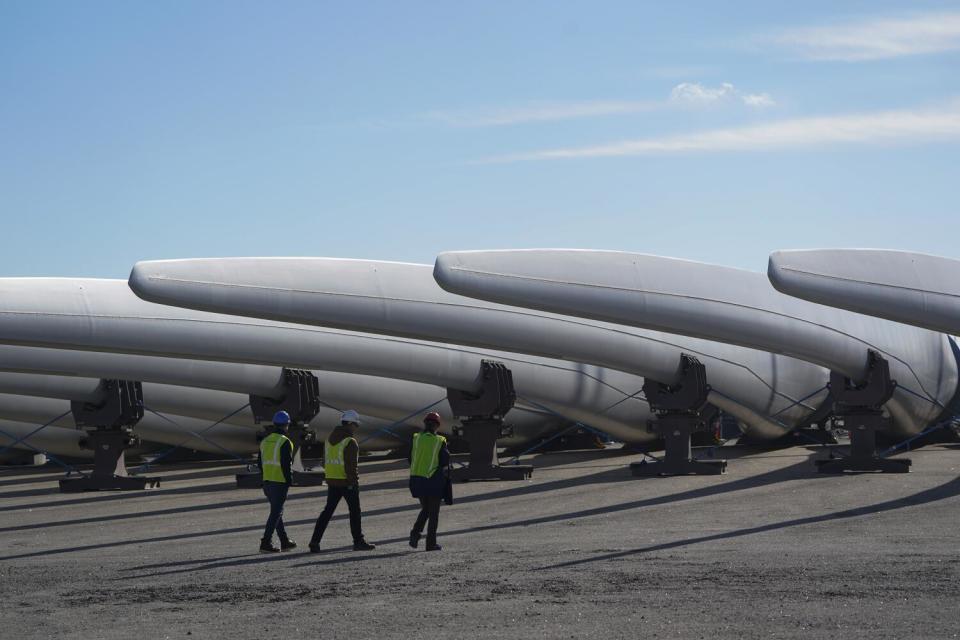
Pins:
<point x="301" y="399"/>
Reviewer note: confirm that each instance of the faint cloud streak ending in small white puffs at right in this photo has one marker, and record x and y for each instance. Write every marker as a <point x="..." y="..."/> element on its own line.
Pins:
<point x="686" y="94"/>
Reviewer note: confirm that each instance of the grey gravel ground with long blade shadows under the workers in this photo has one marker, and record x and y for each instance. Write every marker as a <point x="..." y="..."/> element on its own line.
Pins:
<point x="769" y="550"/>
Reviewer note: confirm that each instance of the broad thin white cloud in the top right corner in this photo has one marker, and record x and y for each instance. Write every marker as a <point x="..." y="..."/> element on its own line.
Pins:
<point x="876" y="38"/>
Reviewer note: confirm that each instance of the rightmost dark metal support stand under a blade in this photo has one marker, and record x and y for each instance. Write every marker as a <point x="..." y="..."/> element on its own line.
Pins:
<point x="860" y="407"/>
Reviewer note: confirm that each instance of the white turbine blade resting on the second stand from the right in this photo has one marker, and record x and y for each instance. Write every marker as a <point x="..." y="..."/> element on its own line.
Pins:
<point x="403" y="300"/>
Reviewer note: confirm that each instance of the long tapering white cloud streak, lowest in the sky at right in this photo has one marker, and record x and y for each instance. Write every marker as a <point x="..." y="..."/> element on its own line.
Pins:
<point x="905" y="126"/>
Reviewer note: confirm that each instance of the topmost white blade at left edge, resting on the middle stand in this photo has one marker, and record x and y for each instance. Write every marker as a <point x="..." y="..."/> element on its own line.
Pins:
<point x="104" y="315"/>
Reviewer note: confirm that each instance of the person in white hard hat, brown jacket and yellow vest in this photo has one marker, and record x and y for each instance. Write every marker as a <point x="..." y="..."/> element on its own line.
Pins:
<point x="341" y="452"/>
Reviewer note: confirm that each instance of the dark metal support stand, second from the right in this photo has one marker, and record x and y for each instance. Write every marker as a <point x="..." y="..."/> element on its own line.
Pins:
<point x="678" y="409"/>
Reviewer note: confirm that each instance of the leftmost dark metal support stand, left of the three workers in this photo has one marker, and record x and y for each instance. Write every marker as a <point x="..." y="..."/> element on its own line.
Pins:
<point x="109" y="432"/>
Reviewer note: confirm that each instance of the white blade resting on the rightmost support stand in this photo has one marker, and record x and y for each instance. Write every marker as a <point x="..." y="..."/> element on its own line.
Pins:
<point x="712" y="302"/>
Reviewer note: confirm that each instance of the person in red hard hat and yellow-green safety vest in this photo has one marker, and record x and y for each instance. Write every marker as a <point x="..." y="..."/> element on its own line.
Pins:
<point x="429" y="479"/>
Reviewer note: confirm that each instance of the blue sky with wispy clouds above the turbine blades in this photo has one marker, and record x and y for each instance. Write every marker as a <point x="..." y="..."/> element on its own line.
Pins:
<point x="388" y="130"/>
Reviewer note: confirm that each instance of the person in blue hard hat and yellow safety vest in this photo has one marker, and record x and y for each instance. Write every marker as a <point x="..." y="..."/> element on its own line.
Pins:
<point x="276" y="456"/>
